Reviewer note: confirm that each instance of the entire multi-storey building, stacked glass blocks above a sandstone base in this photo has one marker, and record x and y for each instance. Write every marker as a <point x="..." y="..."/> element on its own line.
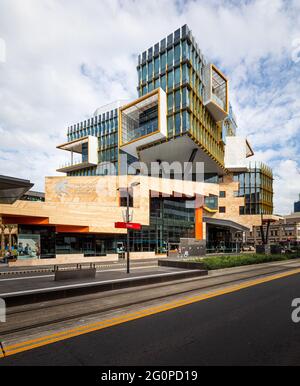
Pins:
<point x="182" y="115"/>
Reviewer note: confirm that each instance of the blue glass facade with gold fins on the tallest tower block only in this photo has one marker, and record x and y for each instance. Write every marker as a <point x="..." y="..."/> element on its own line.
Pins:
<point x="178" y="69"/>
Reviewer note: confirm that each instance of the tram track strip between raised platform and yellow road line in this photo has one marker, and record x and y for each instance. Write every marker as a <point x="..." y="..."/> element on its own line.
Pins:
<point x="107" y="302"/>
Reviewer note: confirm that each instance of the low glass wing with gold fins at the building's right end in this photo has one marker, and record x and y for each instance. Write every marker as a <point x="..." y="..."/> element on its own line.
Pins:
<point x="257" y="188"/>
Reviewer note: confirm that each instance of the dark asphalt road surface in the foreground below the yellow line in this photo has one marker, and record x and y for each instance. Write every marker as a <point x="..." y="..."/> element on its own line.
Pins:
<point x="252" y="326"/>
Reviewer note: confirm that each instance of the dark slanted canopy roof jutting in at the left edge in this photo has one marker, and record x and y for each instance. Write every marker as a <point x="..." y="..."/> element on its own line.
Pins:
<point x="12" y="189"/>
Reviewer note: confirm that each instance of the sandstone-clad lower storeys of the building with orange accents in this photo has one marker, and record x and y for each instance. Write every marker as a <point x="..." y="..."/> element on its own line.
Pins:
<point x="79" y="214"/>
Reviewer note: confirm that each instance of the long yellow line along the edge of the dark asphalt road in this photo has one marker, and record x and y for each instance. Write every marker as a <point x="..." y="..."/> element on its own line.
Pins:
<point x="67" y="334"/>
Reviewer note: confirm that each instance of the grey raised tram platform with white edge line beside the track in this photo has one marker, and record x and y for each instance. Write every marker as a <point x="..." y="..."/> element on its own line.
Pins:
<point x="31" y="289"/>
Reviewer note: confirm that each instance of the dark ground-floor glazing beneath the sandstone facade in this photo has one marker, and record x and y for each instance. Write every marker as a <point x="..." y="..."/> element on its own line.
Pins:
<point x="170" y="219"/>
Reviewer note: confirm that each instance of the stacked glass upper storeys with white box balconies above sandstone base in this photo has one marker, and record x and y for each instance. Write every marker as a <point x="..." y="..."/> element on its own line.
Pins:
<point x="183" y="114"/>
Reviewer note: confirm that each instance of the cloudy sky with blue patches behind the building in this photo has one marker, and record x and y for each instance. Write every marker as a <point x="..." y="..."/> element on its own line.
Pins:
<point x="46" y="44"/>
